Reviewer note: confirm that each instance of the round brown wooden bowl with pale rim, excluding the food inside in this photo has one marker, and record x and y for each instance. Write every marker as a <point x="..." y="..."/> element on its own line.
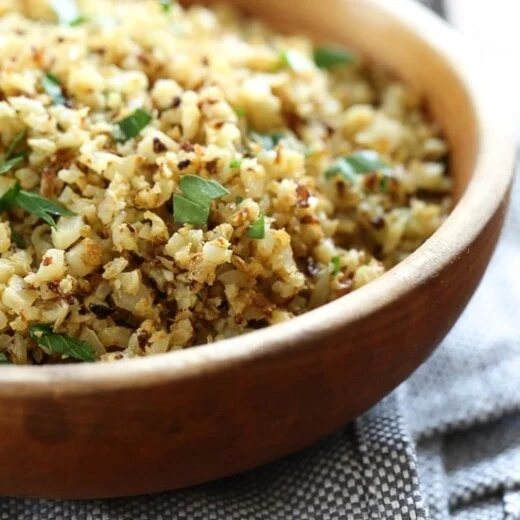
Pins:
<point x="99" y="430"/>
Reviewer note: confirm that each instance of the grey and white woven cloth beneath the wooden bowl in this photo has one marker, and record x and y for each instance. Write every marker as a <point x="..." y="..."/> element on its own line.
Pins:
<point x="445" y="445"/>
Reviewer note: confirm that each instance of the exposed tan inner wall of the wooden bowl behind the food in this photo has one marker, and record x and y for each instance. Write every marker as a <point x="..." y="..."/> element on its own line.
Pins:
<point x="395" y="47"/>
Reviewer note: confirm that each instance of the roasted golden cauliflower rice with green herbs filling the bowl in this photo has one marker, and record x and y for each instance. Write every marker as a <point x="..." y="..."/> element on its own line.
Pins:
<point x="175" y="176"/>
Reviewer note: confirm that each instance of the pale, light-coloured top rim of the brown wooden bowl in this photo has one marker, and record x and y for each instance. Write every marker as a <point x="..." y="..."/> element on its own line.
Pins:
<point x="450" y="239"/>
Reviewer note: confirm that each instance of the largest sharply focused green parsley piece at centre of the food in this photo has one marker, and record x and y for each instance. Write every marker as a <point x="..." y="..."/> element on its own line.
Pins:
<point x="193" y="206"/>
